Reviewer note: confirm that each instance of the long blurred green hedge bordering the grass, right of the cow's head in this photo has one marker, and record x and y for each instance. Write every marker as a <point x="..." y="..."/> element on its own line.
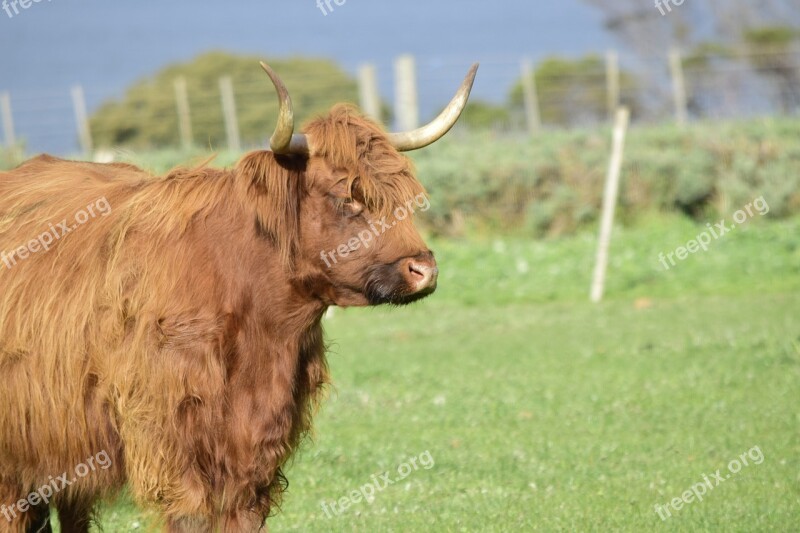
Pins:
<point x="553" y="184"/>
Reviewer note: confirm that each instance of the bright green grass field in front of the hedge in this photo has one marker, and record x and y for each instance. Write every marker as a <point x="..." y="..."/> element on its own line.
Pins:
<point x="542" y="412"/>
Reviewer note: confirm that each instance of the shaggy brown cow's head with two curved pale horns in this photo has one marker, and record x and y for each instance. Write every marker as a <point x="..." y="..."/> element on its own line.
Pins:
<point x="349" y="197"/>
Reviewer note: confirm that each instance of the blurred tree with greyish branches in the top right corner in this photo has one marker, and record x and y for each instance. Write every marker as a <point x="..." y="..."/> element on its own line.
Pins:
<point x="721" y="40"/>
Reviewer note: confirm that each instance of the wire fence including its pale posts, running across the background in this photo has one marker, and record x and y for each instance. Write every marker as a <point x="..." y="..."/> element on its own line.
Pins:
<point x="737" y="85"/>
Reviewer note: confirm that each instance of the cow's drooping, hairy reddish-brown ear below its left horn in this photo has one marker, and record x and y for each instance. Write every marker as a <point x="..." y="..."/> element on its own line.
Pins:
<point x="272" y="185"/>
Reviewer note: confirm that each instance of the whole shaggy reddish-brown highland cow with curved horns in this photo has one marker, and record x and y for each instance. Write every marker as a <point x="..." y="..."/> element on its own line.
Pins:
<point x="164" y="332"/>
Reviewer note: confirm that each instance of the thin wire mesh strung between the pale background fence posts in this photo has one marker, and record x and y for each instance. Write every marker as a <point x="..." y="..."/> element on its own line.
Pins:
<point x="740" y="85"/>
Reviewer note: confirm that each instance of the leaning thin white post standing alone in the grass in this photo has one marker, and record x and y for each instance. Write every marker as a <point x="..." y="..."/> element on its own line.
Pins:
<point x="610" y="203"/>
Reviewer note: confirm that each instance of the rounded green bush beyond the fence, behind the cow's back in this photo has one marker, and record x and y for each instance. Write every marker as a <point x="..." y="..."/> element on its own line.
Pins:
<point x="146" y="116"/>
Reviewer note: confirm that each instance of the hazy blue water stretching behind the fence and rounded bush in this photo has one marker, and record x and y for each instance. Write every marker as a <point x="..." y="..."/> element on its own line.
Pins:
<point x="105" y="45"/>
